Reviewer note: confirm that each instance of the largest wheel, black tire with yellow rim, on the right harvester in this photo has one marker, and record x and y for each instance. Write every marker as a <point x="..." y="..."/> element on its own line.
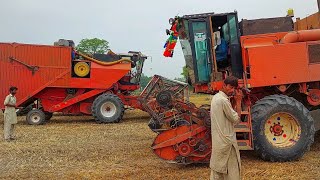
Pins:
<point x="283" y="129"/>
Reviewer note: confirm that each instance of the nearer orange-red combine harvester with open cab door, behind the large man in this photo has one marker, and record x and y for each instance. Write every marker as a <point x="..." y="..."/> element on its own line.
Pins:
<point x="279" y="74"/>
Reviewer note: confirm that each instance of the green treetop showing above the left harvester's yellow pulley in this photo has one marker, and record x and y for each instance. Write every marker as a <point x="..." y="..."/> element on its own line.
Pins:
<point x="93" y="46"/>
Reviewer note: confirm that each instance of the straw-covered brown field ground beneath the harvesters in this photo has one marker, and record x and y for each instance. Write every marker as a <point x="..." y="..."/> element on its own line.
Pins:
<point x="78" y="148"/>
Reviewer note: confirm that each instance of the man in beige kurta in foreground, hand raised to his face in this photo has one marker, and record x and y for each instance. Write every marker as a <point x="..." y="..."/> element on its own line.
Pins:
<point x="225" y="158"/>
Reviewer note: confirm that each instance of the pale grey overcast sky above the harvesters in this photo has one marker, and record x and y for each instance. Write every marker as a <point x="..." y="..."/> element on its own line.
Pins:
<point x="127" y="24"/>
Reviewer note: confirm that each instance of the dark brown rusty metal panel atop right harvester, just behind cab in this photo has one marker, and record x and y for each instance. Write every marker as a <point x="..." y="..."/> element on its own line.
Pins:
<point x="264" y="26"/>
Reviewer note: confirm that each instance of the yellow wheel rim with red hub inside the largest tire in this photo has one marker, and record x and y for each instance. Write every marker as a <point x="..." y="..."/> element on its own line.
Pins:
<point x="282" y="130"/>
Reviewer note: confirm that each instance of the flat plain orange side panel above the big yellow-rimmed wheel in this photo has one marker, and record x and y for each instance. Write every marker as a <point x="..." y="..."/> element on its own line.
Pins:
<point x="279" y="64"/>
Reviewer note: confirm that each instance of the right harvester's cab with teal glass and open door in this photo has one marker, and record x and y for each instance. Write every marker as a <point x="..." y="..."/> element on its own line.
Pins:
<point x="211" y="46"/>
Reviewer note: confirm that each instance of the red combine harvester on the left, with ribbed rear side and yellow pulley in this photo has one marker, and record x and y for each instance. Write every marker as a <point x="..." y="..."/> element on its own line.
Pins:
<point x="59" y="79"/>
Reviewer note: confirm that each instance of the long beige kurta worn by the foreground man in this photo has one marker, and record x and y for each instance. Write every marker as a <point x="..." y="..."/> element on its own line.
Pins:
<point x="224" y="143"/>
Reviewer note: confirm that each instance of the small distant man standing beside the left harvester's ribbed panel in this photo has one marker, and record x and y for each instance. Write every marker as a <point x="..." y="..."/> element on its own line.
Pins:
<point x="10" y="116"/>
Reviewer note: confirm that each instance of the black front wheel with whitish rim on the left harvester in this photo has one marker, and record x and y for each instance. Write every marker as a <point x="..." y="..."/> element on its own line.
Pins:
<point x="107" y="108"/>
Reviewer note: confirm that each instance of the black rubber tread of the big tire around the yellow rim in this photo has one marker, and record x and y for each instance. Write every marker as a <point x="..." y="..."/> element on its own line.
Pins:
<point x="260" y="111"/>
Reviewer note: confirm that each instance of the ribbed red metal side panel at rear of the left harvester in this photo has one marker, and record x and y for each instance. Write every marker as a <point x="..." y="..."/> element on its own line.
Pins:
<point x="51" y="62"/>
